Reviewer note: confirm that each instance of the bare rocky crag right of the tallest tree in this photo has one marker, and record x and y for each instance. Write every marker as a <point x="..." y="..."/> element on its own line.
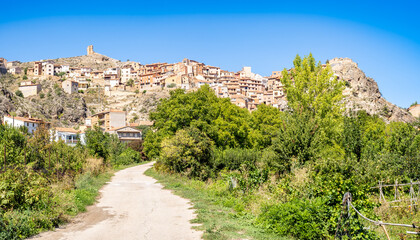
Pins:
<point x="362" y="93"/>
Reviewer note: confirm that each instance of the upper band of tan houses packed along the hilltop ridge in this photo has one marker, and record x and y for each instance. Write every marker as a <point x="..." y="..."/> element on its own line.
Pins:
<point x="244" y="88"/>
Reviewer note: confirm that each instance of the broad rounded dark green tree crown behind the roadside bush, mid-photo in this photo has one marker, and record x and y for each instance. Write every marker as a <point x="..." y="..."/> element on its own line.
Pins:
<point x="224" y="123"/>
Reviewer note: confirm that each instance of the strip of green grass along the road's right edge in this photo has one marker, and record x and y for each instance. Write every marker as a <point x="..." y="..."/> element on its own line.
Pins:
<point x="220" y="215"/>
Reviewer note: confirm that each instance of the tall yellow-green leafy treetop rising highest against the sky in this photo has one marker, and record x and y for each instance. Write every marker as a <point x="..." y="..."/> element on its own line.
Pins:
<point x="312" y="88"/>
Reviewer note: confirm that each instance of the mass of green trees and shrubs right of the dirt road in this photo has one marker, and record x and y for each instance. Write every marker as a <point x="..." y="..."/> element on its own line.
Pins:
<point x="286" y="171"/>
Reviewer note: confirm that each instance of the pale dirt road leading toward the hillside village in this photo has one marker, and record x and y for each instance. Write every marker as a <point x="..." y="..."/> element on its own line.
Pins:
<point x="132" y="206"/>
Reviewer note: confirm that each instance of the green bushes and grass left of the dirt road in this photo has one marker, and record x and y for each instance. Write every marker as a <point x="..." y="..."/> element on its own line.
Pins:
<point x="43" y="183"/>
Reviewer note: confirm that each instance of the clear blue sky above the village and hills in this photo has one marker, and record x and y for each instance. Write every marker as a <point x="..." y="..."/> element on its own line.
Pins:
<point x="384" y="39"/>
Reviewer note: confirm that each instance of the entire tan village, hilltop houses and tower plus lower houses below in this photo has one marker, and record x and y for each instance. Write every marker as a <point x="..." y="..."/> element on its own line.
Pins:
<point x="244" y="88"/>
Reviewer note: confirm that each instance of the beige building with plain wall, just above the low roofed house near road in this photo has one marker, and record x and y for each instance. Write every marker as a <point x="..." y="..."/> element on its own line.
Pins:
<point x="109" y="119"/>
